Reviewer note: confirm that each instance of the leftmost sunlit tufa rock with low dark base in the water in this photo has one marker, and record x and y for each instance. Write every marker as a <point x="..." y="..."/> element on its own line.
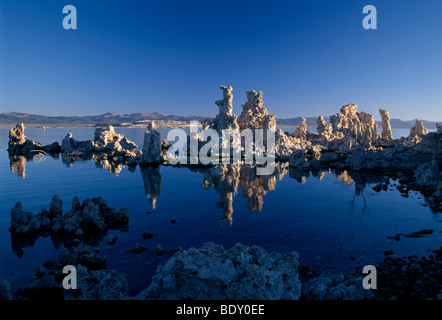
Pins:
<point x="19" y="144"/>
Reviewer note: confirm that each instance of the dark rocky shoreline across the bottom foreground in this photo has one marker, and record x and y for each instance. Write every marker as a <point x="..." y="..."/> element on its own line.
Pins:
<point x="239" y="273"/>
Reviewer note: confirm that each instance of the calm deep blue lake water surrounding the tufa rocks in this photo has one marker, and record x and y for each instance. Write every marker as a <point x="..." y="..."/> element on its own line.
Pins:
<point x="327" y="217"/>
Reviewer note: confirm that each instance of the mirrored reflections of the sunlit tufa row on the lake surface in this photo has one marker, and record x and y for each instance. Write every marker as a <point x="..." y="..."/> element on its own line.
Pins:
<point x="226" y="180"/>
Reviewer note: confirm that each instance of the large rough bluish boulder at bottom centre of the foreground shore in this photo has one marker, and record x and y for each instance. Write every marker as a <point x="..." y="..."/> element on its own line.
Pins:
<point x="212" y="273"/>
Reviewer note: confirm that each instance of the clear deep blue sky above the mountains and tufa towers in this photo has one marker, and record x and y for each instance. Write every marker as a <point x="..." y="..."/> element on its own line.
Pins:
<point x="309" y="57"/>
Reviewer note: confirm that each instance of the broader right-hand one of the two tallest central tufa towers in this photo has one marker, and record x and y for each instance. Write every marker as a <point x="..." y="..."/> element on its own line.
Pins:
<point x="254" y="115"/>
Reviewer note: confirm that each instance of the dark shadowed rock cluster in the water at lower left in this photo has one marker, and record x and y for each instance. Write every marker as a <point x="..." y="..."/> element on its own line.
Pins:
<point x="88" y="222"/>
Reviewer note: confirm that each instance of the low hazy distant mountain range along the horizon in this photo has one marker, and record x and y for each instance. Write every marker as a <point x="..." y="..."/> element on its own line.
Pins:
<point x="12" y="118"/>
